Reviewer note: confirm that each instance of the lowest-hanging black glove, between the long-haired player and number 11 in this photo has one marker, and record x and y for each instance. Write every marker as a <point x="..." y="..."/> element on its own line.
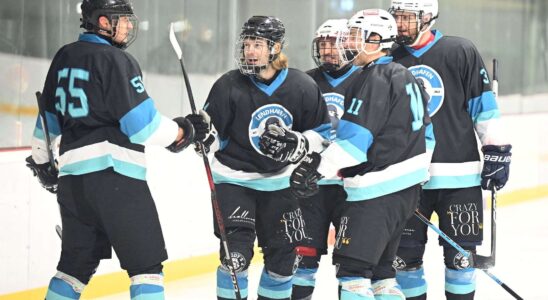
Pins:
<point x="304" y="179"/>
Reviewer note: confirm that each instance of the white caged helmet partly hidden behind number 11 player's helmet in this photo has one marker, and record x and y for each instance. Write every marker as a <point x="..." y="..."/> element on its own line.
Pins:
<point x="331" y="30"/>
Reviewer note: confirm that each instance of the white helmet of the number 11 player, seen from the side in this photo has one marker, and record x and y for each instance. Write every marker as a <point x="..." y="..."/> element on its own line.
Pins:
<point x="366" y="22"/>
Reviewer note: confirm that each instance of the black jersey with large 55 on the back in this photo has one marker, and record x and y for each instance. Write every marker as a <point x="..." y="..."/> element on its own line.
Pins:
<point x="95" y="98"/>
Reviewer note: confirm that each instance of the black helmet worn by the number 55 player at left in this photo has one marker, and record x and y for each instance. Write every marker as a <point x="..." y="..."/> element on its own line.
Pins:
<point x="112" y="9"/>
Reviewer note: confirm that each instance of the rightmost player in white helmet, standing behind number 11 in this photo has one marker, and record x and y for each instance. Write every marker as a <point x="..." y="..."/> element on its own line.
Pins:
<point x="461" y="104"/>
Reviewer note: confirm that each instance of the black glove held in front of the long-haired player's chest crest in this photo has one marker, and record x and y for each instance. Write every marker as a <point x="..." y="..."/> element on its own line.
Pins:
<point x="283" y="145"/>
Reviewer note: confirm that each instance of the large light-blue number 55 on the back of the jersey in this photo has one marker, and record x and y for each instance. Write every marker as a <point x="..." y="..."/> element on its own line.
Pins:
<point x="76" y="108"/>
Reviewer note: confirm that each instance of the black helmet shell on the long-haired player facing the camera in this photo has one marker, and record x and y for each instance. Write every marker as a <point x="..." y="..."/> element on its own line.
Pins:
<point x="270" y="28"/>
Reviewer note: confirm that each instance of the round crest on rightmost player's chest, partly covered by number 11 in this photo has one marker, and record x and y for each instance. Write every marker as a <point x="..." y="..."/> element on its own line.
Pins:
<point x="433" y="84"/>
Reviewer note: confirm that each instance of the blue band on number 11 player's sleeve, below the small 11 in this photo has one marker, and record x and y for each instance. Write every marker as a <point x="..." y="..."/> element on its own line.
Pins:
<point x="355" y="135"/>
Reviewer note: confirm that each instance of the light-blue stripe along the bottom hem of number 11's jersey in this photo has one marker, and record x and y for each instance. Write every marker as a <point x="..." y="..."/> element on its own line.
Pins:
<point x="386" y="187"/>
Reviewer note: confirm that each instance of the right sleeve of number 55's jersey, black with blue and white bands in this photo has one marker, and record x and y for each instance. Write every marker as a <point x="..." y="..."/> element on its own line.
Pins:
<point x="127" y="99"/>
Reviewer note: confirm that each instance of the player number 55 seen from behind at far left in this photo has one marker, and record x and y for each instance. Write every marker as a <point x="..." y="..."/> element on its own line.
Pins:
<point x="95" y="98"/>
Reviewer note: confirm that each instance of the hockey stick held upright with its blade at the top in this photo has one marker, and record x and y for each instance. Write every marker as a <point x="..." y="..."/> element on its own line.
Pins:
<point x="214" y="201"/>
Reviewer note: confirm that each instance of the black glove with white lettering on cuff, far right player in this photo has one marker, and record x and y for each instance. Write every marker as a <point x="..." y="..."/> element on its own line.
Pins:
<point x="496" y="166"/>
